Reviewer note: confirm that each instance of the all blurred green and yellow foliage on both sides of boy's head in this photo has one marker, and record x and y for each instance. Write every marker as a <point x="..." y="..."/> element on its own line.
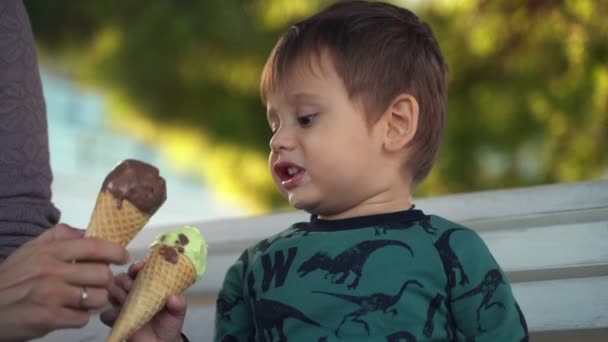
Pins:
<point x="527" y="95"/>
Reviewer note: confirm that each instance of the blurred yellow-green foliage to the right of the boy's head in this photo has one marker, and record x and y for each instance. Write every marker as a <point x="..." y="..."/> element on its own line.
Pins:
<point x="528" y="92"/>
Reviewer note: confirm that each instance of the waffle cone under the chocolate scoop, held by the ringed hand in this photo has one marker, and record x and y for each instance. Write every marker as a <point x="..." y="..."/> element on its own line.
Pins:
<point x="109" y="222"/>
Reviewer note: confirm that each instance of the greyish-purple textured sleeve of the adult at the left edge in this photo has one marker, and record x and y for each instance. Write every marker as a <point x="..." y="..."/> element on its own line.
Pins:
<point x="26" y="209"/>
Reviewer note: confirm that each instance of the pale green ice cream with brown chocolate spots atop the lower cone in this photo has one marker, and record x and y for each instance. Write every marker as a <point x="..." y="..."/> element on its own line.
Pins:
<point x="188" y="241"/>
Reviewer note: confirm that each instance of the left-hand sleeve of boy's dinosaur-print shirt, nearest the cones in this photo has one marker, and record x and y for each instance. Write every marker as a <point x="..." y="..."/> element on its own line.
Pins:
<point x="233" y="317"/>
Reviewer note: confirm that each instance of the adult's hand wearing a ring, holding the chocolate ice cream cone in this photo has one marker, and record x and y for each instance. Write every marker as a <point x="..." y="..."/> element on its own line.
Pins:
<point x="41" y="287"/>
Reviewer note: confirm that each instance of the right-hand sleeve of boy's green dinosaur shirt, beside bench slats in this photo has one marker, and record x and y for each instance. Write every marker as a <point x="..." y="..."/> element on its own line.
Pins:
<point x="482" y="302"/>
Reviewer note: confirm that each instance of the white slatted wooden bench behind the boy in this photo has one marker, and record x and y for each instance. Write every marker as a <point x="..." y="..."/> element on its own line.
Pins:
<point x="552" y="241"/>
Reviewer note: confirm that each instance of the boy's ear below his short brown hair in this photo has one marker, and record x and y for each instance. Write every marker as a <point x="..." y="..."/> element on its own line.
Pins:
<point x="401" y="122"/>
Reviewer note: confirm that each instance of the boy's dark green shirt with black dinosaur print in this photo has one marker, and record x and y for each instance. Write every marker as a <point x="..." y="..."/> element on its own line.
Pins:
<point x="401" y="276"/>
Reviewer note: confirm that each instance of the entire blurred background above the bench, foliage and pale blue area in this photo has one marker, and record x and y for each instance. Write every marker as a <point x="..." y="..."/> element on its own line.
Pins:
<point x="175" y="83"/>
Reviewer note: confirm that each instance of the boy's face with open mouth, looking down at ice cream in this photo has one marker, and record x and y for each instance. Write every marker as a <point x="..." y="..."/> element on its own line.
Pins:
<point x="324" y="155"/>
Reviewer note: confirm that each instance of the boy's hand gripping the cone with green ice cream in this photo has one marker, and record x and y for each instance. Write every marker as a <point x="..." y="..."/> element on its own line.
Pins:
<point x="166" y="326"/>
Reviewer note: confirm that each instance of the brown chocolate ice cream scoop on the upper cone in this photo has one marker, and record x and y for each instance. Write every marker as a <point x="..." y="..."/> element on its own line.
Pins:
<point x="137" y="182"/>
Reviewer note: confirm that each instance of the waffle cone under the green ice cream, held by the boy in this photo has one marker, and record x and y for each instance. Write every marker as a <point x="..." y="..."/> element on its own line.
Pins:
<point x="154" y="284"/>
